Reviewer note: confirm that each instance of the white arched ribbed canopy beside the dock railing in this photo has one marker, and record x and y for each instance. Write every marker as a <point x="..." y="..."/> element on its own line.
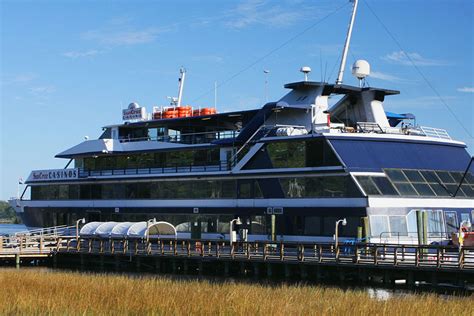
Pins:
<point x="128" y="230"/>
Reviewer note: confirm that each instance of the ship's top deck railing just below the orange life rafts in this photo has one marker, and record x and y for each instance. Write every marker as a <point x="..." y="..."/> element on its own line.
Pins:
<point x="187" y="138"/>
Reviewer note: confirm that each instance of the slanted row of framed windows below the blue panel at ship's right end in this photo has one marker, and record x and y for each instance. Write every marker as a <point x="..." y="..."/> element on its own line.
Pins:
<point x="428" y="183"/>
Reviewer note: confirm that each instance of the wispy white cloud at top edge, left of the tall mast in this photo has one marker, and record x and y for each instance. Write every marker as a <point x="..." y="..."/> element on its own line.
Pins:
<point x="259" y="12"/>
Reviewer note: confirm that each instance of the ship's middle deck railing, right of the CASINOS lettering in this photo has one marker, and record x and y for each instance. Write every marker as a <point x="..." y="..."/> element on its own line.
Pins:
<point x="168" y="168"/>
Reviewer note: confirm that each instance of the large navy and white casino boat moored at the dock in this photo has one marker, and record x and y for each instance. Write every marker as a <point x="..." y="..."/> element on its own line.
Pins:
<point x="290" y="170"/>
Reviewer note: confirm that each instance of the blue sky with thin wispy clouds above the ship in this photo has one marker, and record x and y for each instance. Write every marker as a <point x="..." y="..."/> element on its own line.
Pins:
<point x="68" y="67"/>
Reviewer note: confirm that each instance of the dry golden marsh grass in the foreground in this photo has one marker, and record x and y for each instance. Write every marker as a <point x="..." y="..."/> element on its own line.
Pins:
<point x="40" y="292"/>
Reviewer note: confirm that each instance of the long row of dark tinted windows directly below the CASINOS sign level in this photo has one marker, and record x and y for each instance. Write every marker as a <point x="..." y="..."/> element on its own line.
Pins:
<point x="330" y="186"/>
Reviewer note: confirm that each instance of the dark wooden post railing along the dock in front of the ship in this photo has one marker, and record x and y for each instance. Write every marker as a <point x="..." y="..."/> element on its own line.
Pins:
<point x="430" y="256"/>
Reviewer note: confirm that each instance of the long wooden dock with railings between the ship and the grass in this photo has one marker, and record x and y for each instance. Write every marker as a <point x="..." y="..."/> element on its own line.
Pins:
<point x="359" y="263"/>
